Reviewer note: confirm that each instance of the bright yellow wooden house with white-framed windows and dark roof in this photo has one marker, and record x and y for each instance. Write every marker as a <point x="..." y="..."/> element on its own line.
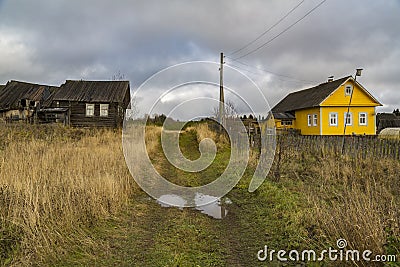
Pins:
<point x="335" y="107"/>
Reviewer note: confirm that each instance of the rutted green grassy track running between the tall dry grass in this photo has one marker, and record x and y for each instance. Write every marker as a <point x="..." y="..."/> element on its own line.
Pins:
<point x="148" y="234"/>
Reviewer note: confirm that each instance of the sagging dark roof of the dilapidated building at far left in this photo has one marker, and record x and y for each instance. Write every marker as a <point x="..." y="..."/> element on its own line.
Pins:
<point x="14" y="91"/>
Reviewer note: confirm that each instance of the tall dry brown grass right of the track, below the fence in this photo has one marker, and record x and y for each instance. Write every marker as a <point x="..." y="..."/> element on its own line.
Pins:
<point x="354" y="199"/>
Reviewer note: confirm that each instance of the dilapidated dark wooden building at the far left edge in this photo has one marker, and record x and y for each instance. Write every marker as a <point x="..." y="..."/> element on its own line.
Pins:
<point x="21" y="100"/>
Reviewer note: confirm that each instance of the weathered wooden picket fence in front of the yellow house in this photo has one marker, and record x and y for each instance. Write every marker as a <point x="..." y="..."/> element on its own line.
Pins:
<point x="354" y="146"/>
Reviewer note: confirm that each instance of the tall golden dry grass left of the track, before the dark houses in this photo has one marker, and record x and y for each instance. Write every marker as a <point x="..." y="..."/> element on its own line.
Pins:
<point x="54" y="183"/>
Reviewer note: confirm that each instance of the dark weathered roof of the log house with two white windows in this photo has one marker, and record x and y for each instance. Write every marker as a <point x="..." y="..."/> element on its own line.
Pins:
<point x="92" y="91"/>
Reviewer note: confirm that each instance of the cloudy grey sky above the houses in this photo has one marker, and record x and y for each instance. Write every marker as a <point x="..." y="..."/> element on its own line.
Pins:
<point x="49" y="41"/>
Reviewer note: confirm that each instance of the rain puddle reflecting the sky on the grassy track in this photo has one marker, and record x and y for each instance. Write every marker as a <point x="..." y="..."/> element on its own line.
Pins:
<point x="216" y="207"/>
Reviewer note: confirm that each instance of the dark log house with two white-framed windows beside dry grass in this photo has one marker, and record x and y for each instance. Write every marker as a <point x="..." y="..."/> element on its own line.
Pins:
<point x="90" y="103"/>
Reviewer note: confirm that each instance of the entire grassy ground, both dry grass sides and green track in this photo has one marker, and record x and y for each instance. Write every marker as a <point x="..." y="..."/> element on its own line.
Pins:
<point x="67" y="199"/>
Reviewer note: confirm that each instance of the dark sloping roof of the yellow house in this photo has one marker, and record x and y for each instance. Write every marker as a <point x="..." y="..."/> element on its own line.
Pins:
<point x="307" y="98"/>
